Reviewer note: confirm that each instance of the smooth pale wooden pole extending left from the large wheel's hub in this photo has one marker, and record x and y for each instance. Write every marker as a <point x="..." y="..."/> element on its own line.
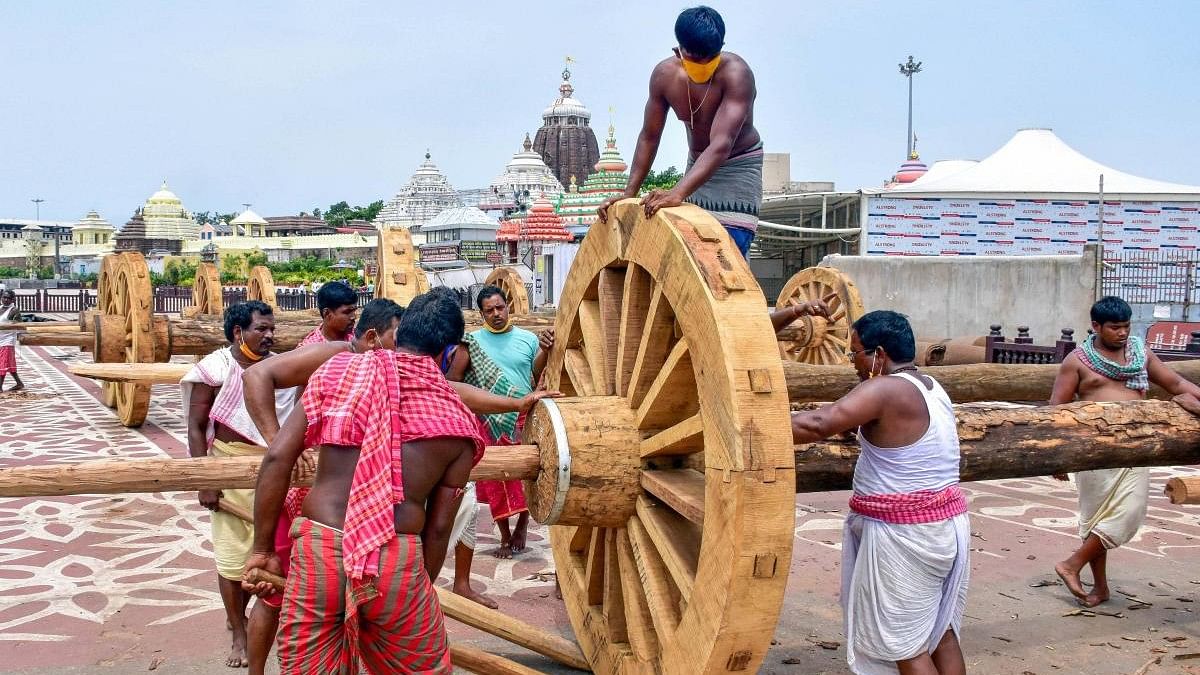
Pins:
<point x="169" y="475"/>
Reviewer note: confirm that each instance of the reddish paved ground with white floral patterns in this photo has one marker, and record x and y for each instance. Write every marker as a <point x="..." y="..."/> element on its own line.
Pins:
<point x="121" y="584"/>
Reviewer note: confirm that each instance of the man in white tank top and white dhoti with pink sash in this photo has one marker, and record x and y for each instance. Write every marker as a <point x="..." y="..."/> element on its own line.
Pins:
<point x="905" y="545"/>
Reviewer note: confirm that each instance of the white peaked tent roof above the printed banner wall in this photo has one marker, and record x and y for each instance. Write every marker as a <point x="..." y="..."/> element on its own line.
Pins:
<point x="1037" y="164"/>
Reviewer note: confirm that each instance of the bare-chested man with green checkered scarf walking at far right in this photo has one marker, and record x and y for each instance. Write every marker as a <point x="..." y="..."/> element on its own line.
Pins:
<point x="1112" y="366"/>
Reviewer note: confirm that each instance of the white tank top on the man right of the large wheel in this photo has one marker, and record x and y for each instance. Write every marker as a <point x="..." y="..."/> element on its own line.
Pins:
<point x="929" y="464"/>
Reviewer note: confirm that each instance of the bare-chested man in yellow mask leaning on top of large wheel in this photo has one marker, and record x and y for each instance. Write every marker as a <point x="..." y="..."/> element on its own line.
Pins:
<point x="712" y="93"/>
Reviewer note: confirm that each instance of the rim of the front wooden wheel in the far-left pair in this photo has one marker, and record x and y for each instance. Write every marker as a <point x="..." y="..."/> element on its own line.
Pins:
<point x="133" y="300"/>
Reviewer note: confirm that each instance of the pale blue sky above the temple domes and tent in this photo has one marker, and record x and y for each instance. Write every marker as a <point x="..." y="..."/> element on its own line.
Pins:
<point x="297" y="105"/>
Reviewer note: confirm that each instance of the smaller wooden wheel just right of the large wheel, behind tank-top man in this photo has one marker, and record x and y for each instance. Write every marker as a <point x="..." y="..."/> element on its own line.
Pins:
<point x="818" y="341"/>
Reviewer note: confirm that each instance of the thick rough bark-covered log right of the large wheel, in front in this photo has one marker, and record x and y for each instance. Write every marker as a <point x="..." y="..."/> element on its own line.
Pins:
<point x="1011" y="443"/>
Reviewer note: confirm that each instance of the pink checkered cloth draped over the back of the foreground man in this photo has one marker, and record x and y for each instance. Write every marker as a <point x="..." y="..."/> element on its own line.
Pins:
<point x="377" y="402"/>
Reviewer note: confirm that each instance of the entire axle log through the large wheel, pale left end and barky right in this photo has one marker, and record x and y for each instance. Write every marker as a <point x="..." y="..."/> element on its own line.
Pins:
<point x="997" y="443"/>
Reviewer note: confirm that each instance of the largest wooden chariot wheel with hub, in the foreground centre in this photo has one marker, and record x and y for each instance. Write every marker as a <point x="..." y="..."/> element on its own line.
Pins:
<point x="669" y="477"/>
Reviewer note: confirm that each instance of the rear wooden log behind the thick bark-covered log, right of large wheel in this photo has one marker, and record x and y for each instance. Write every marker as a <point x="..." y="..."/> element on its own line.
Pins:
<point x="963" y="384"/>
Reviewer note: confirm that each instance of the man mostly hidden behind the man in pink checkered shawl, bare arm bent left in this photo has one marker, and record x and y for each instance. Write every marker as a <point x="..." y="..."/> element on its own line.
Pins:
<point x="376" y="331"/>
